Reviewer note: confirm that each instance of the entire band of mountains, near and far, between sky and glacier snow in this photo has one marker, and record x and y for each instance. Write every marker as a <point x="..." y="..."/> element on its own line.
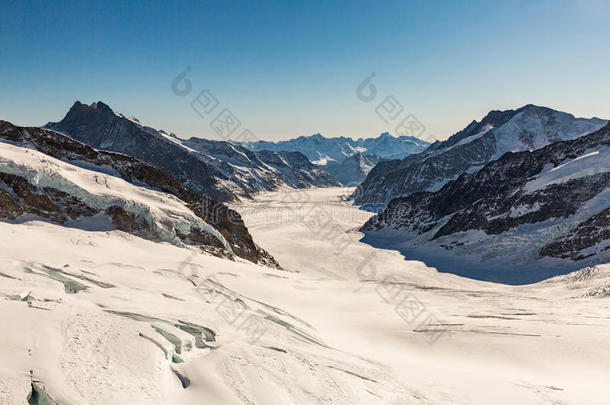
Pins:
<point x="524" y="189"/>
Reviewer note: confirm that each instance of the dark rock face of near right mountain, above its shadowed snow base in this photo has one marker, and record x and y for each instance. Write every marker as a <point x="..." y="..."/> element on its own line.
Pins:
<point x="497" y="199"/>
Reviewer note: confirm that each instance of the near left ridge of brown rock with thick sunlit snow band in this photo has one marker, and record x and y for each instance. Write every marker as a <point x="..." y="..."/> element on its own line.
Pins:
<point x="45" y="174"/>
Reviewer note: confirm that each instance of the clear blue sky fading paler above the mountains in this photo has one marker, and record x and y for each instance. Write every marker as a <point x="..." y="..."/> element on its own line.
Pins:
<point x="288" y="68"/>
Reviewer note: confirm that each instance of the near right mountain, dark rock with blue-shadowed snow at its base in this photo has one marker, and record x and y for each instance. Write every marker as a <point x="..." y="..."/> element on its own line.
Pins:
<point x="525" y="216"/>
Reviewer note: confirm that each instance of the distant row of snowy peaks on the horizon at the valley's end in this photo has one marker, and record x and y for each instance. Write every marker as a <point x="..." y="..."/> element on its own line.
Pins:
<point x="323" y="150"/>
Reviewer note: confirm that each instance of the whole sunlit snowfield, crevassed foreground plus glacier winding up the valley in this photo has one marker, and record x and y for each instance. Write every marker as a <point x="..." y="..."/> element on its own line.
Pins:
<point x="96" y="317"/>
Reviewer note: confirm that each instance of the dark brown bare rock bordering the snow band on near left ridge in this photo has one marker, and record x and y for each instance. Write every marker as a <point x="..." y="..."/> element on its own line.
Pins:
<point x="18" y="196"/>
